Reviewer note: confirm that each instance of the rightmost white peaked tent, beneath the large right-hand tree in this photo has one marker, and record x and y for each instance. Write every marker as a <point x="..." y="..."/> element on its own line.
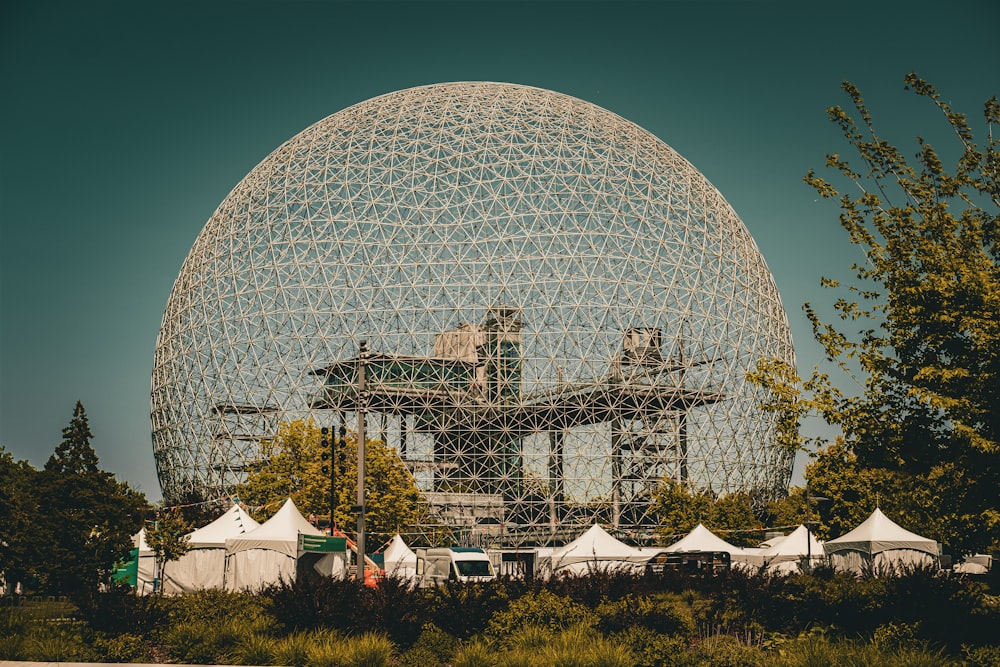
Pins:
<point x="881" y="545"/>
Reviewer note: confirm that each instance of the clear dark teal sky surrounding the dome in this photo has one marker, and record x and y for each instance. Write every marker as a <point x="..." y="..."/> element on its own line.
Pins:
<point x="124" y="124"/>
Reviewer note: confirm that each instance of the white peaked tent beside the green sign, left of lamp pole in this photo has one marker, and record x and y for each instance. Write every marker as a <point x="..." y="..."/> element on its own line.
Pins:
<point x="267" y="554"/>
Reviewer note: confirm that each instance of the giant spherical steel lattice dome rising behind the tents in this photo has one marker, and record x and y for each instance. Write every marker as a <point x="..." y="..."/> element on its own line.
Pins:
<point x="561" y="311"/>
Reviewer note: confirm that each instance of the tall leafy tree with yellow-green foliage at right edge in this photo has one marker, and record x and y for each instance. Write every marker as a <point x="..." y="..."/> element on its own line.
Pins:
<point x="921" y="323"/>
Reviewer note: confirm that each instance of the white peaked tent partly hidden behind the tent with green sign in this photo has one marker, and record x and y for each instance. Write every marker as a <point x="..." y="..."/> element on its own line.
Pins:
<point x="204" y="564"/>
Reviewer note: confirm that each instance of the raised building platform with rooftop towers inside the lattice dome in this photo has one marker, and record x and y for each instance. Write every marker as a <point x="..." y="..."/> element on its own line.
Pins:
<point x="477" y="385"/>
